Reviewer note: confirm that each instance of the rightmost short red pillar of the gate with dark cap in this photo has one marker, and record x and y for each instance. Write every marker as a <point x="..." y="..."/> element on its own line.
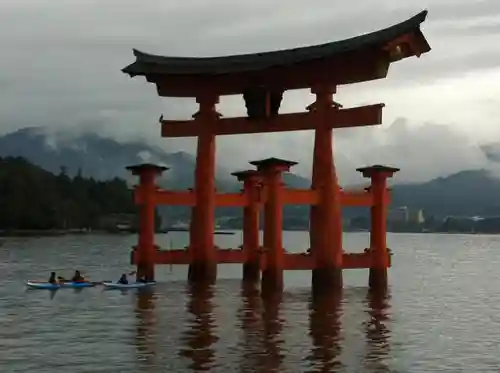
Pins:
<point x="378" y="233"/>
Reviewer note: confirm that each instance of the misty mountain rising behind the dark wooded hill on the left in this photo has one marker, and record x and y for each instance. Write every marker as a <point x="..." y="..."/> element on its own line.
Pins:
<point x="102" y="158"/>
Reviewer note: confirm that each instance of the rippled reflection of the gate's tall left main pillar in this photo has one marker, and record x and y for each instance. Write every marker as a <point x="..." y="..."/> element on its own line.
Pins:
<point x="199" y="335"/>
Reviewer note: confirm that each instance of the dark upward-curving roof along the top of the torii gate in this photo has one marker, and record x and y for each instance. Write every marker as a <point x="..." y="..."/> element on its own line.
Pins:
<point x="153" y="64"/>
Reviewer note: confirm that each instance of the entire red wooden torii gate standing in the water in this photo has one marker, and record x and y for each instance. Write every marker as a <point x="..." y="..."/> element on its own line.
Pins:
<point x="262" y="79"/>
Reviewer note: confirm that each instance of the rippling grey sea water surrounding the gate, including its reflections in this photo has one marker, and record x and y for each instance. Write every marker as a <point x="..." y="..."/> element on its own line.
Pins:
<point x="441" y="315"/>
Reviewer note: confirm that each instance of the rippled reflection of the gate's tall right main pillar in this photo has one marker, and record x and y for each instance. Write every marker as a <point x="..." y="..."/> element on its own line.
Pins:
<point x="324" y="330"/>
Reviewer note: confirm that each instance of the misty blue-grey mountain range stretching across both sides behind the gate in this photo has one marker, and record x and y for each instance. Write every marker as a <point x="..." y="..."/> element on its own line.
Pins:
<point x="466" y="193"/>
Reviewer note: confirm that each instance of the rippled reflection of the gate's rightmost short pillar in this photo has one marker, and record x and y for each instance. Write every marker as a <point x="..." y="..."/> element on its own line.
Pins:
<point x="377" y="331"/>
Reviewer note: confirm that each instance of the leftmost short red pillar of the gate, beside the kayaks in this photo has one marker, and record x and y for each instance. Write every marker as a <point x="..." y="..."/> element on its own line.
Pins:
<point x="146" y="249"/>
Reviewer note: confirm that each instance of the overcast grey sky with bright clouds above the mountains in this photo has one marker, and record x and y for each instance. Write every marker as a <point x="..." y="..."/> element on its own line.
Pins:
<point x="61" y="62"/>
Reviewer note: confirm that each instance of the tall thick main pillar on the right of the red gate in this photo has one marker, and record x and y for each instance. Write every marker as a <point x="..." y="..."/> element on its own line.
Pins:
<point x="326" y="218"/>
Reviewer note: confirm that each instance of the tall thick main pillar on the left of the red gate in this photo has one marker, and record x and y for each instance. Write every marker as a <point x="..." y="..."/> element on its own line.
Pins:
<point x="203" y="265"/>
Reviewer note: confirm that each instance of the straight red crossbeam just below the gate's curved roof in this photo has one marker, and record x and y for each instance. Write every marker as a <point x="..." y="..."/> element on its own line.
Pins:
<point x="338" y="118"/>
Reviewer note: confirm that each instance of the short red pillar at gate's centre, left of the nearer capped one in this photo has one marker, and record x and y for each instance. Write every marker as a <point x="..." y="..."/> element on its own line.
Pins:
<point x="251" y="241"/>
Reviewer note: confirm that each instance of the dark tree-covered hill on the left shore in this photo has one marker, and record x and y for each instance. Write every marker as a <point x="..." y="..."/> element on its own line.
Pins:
<point x="33" y="198"/>
